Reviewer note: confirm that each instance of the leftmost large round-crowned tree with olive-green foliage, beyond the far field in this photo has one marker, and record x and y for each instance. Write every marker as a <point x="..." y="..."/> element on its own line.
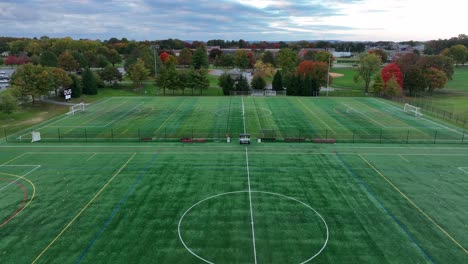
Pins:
<point x="30" y="81"/>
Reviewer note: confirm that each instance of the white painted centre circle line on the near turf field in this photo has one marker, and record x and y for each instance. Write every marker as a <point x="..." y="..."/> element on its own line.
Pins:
<point x="261" y="192"/>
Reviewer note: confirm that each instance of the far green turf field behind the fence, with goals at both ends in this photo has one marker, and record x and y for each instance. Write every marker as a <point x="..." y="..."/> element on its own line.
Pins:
<point x="215" y="118"/>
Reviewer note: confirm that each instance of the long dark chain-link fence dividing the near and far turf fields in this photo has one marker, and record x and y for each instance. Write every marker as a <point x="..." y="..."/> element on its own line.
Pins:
<point x="399" y="136"/>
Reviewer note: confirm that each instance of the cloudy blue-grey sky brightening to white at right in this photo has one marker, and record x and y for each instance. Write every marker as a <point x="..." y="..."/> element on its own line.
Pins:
<point x="281" y="20"/>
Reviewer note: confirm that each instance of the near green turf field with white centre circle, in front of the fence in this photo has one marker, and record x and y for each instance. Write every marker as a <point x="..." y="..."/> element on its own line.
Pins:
<point x="173" y="203"/>
